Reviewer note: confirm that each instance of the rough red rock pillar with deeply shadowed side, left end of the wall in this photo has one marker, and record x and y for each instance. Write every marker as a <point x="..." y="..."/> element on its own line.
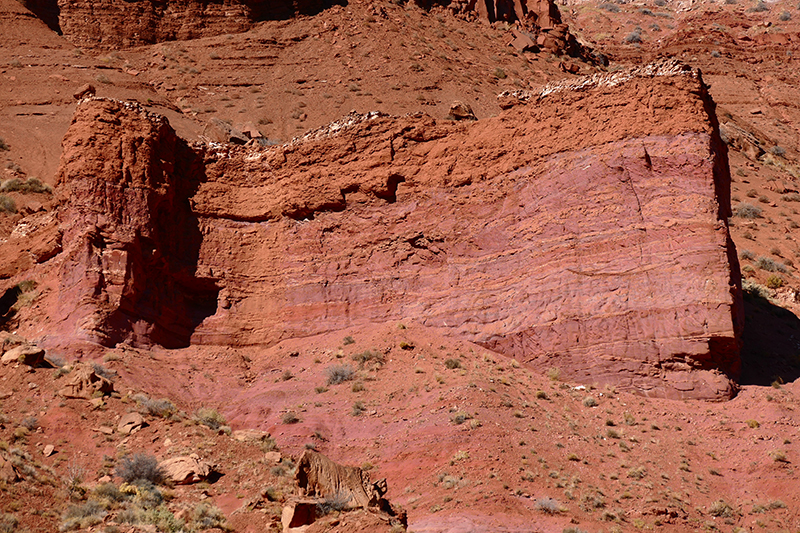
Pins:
<point x="130" y="240"/>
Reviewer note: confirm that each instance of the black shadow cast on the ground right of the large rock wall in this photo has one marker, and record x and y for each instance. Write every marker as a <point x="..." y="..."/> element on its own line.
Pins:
<point x="771" y="342"/>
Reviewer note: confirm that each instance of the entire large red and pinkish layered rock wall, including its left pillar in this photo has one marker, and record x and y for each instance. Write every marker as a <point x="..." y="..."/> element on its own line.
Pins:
<point x="568" y="232"/>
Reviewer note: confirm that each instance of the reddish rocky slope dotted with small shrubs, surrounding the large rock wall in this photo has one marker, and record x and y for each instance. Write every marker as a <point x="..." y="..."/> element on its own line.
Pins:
<point x="468" y="439"/>
